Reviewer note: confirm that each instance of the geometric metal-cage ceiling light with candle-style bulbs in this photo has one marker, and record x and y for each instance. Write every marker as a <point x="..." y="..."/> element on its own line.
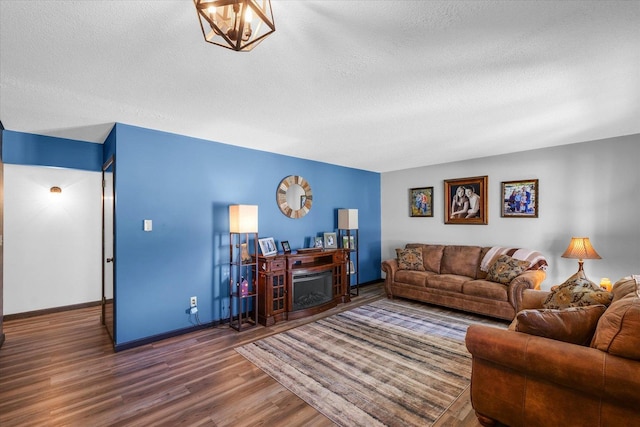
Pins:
<point x="235" y="24"/>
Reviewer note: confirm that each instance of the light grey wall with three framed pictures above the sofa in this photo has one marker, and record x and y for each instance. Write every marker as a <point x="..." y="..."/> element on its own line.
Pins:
<point x="587" y="189"/>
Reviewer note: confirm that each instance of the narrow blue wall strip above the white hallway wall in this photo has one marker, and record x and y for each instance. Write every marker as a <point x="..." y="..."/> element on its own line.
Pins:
<point x="39" y="150"/>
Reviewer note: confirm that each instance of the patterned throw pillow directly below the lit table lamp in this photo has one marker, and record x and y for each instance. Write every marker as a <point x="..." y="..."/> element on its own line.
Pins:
<point x="577" y="292"/>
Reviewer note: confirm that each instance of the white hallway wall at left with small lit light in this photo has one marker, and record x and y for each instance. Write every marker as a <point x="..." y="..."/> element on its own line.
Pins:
<point x="52" y="244"/>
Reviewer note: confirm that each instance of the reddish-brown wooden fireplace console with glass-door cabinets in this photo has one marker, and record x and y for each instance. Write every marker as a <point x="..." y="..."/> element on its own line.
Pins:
<point x="276" y="278"/>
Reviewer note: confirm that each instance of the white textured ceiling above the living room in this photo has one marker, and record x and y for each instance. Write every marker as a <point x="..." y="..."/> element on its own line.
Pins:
<point x="375" y="85"/>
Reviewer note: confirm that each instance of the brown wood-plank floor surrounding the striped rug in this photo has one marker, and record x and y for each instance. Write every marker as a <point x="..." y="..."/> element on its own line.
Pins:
<point x="59" y="369"/>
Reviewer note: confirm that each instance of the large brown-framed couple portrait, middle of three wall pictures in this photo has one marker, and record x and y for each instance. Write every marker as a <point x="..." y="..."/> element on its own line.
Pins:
<point x="465" y="200"/>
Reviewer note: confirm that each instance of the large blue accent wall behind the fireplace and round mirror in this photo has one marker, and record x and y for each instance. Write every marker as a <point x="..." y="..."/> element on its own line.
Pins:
<point x="185" y="186"/>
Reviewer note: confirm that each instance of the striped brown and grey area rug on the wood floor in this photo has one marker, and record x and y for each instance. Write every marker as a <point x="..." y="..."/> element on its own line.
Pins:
<point x="390" y="362"/>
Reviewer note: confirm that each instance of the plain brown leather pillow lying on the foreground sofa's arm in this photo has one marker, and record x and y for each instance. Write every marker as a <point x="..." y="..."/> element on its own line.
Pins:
<point x="574" y="325"/>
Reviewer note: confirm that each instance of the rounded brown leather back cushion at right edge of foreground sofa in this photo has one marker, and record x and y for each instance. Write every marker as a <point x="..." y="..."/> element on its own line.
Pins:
<point x="617" y="330"/>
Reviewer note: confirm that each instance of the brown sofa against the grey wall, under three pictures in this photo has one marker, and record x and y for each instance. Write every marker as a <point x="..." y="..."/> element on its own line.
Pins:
<point x="453" y="277"/>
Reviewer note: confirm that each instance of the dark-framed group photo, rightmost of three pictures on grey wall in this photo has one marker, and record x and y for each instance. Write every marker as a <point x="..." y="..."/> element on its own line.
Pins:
<point x="520" y="199"/>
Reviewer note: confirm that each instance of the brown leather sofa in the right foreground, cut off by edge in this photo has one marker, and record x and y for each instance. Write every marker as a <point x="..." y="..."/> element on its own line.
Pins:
<point x="520" y="379"/>
